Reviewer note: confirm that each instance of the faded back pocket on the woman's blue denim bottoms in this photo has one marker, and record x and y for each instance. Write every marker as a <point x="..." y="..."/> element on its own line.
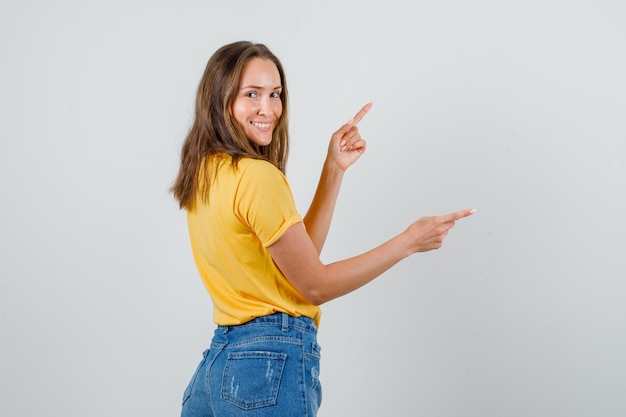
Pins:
<point x="251" y="379"/>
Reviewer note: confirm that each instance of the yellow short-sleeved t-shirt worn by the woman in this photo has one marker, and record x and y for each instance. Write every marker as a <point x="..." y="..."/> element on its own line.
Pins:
<point x="248" y="209"/>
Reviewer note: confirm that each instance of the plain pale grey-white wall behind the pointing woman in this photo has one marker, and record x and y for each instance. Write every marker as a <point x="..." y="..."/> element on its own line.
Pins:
<point x="516" y="108"/>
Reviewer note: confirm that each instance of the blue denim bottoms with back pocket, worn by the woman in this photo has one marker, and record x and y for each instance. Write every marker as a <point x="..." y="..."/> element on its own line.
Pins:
<point x="266" y="367"/>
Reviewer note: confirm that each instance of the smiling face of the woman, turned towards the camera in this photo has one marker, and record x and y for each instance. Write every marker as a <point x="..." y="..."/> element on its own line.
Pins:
<point x="257" y="106"/>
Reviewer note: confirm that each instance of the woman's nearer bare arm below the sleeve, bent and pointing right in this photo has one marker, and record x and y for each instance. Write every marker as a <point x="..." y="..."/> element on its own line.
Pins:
<point x="296" y="256"/>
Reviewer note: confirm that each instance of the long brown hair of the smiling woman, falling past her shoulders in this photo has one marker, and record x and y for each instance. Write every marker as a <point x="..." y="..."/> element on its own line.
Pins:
<point x="215" y="131"/>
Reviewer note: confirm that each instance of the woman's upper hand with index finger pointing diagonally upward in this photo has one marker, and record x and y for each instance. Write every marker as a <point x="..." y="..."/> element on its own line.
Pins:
<point x="346" y="144"/>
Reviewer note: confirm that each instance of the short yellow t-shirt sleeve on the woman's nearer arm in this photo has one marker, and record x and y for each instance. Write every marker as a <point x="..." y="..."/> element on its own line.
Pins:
<point x="264" y="202"/>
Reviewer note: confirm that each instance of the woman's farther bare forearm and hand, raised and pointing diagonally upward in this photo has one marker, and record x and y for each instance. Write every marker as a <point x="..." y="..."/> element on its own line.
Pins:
<point x="346" y="146"/>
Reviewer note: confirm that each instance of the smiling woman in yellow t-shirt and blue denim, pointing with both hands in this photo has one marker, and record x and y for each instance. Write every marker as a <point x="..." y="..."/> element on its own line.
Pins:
<point x="258" y="258"/>
